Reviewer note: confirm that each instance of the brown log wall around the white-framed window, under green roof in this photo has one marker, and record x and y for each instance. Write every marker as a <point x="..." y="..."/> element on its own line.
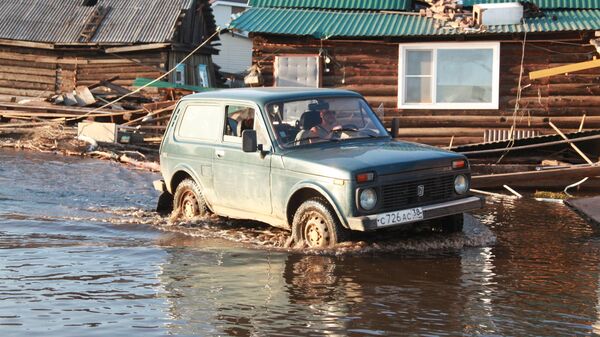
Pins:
<point x="371" y="68"/>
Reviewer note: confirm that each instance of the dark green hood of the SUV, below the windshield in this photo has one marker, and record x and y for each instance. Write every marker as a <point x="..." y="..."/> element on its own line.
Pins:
<point x="344" y="160"/>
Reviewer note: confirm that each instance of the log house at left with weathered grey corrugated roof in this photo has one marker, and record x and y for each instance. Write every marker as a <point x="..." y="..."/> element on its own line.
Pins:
<point x="52" y="46"/>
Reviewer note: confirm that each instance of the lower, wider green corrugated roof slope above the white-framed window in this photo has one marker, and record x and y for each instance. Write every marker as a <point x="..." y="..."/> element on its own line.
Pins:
<point x="325" y="24"/>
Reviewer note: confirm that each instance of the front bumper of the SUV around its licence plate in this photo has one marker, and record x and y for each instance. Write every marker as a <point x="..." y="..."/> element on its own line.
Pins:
<point x="369" y="222"/>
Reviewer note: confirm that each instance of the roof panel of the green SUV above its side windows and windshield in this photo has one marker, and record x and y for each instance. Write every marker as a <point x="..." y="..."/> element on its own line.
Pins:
<point x="265" y="95"/>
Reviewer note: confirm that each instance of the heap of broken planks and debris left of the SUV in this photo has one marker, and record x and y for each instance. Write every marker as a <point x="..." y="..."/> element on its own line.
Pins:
<point x="84" y="123"/>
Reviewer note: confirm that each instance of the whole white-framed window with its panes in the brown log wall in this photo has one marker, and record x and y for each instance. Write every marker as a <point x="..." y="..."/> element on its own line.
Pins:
<point x="449" y="75"/>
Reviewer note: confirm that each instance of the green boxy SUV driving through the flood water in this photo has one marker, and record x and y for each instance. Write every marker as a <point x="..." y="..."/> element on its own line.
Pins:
<point x="317" y="162"/>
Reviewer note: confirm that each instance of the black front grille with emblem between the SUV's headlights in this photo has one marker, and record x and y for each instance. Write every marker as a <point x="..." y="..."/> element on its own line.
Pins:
<point x="405" y="194"/>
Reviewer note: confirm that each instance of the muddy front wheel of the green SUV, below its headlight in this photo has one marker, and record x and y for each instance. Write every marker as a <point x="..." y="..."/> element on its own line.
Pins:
<point x="315" y="225"/>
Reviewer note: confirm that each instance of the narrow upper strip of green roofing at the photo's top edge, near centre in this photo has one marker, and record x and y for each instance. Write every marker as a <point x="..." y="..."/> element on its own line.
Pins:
<point x="390" y="5"/>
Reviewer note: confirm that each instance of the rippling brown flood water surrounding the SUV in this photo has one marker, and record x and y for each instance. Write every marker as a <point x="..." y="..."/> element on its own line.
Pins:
<point x="81" y="254"/>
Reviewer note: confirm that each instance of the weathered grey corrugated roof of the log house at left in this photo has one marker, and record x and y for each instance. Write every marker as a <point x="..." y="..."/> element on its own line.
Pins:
<point x="61" y="21"/>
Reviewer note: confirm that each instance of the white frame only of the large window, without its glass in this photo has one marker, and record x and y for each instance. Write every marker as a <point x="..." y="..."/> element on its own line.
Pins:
<point x="495" y="46"/>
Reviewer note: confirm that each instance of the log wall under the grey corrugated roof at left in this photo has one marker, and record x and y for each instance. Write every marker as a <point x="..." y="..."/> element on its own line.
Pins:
<point x="29" y="73"/>
